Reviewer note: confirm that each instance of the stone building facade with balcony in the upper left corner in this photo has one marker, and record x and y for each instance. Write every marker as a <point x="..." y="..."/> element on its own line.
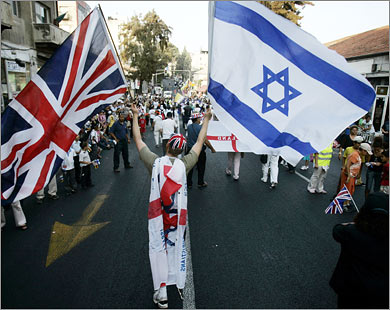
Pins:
<point x="29" y="37"/>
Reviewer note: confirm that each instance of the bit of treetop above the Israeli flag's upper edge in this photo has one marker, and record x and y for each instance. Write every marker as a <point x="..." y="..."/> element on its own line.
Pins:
<point x="287" y="9"/>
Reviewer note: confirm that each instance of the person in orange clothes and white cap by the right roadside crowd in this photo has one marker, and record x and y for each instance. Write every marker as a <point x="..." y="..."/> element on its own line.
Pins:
<point x="351" y="169"/>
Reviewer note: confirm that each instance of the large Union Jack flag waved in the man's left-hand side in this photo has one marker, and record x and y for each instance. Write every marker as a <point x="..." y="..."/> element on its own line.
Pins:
<point x="38" y="127"/>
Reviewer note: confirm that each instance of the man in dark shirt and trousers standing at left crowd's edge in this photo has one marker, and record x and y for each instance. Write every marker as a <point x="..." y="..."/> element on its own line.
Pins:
<point x="119" y="133"/>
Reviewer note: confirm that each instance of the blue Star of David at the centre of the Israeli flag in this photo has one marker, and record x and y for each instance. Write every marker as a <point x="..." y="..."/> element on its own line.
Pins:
<point x="262" y="90"/>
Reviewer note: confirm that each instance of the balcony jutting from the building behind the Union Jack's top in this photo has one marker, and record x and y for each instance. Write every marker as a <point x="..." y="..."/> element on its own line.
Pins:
<point x="48" y="35"/>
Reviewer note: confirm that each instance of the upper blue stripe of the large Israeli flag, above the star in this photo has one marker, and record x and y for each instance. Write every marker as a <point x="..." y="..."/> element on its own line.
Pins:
<point x="352" y="89"/>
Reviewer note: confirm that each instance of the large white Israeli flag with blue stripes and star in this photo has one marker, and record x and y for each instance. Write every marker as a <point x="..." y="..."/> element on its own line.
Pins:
<point x="276" y="87"/>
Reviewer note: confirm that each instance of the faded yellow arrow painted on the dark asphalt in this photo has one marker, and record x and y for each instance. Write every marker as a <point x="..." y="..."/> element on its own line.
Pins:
<point x="66" y="237"/>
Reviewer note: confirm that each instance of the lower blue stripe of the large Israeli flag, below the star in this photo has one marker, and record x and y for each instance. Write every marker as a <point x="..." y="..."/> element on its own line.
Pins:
<point x="252" y="121"/>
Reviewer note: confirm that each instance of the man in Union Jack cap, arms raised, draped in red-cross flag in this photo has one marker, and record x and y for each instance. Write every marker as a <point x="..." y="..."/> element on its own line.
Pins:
<point x="167" y="215"/>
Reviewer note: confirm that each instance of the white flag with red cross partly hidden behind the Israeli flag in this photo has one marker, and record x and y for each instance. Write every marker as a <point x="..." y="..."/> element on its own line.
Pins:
<point x="223" y="140"/>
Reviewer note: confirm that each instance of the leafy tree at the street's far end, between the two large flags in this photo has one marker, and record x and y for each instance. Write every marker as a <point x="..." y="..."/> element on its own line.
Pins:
<point x="145" y="46"/>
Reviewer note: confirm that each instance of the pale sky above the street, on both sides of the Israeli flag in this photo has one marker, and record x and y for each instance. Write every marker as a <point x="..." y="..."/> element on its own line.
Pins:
<point x="326" y="20"/>
